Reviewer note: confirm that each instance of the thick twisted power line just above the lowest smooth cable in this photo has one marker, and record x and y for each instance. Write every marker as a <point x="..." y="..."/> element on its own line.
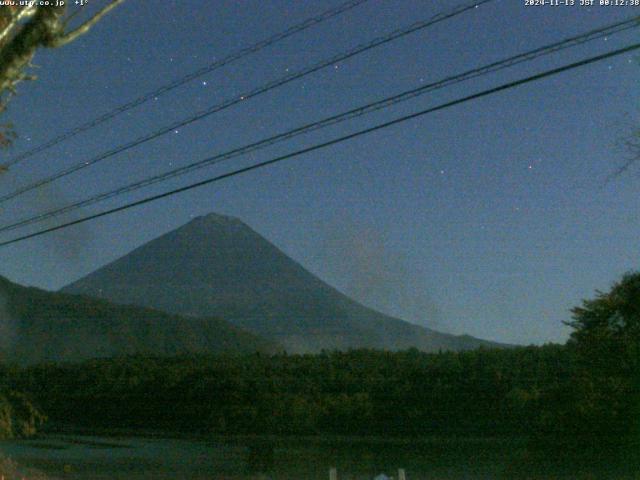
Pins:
<point x="580" y="39"/>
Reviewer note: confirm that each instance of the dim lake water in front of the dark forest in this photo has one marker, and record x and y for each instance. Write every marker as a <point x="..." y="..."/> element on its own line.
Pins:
<point x="133" y="458"/>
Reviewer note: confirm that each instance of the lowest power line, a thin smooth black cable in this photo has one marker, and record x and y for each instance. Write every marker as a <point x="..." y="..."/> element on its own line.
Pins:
<point x="484" y="93"/>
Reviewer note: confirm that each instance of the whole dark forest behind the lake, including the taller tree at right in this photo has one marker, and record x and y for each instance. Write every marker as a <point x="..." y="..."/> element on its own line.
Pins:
<point x="582" y="394"/>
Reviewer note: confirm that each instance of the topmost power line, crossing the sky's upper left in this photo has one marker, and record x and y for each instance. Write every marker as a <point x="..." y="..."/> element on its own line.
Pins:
<point x="233" y="57"/>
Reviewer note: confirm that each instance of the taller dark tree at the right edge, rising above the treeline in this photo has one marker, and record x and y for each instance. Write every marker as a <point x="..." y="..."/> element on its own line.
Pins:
<point x="606" y="341"/>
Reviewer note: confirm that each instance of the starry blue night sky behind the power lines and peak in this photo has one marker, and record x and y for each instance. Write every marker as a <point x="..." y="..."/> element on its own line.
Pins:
<point x="491" y="218"/>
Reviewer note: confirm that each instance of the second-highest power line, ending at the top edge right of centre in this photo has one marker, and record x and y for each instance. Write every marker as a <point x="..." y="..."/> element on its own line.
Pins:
<point x="396" y="34"/>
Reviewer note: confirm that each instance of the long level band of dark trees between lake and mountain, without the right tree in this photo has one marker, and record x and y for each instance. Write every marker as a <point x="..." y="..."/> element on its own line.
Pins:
<point x="356" y="393"/>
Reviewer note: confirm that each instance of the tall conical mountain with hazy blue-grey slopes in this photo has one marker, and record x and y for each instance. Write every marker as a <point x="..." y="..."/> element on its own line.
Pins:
<point x="218" y="266"/>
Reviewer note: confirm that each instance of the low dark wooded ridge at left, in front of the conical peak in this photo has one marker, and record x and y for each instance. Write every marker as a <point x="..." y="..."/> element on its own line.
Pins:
<point x="46" y="326"/>
